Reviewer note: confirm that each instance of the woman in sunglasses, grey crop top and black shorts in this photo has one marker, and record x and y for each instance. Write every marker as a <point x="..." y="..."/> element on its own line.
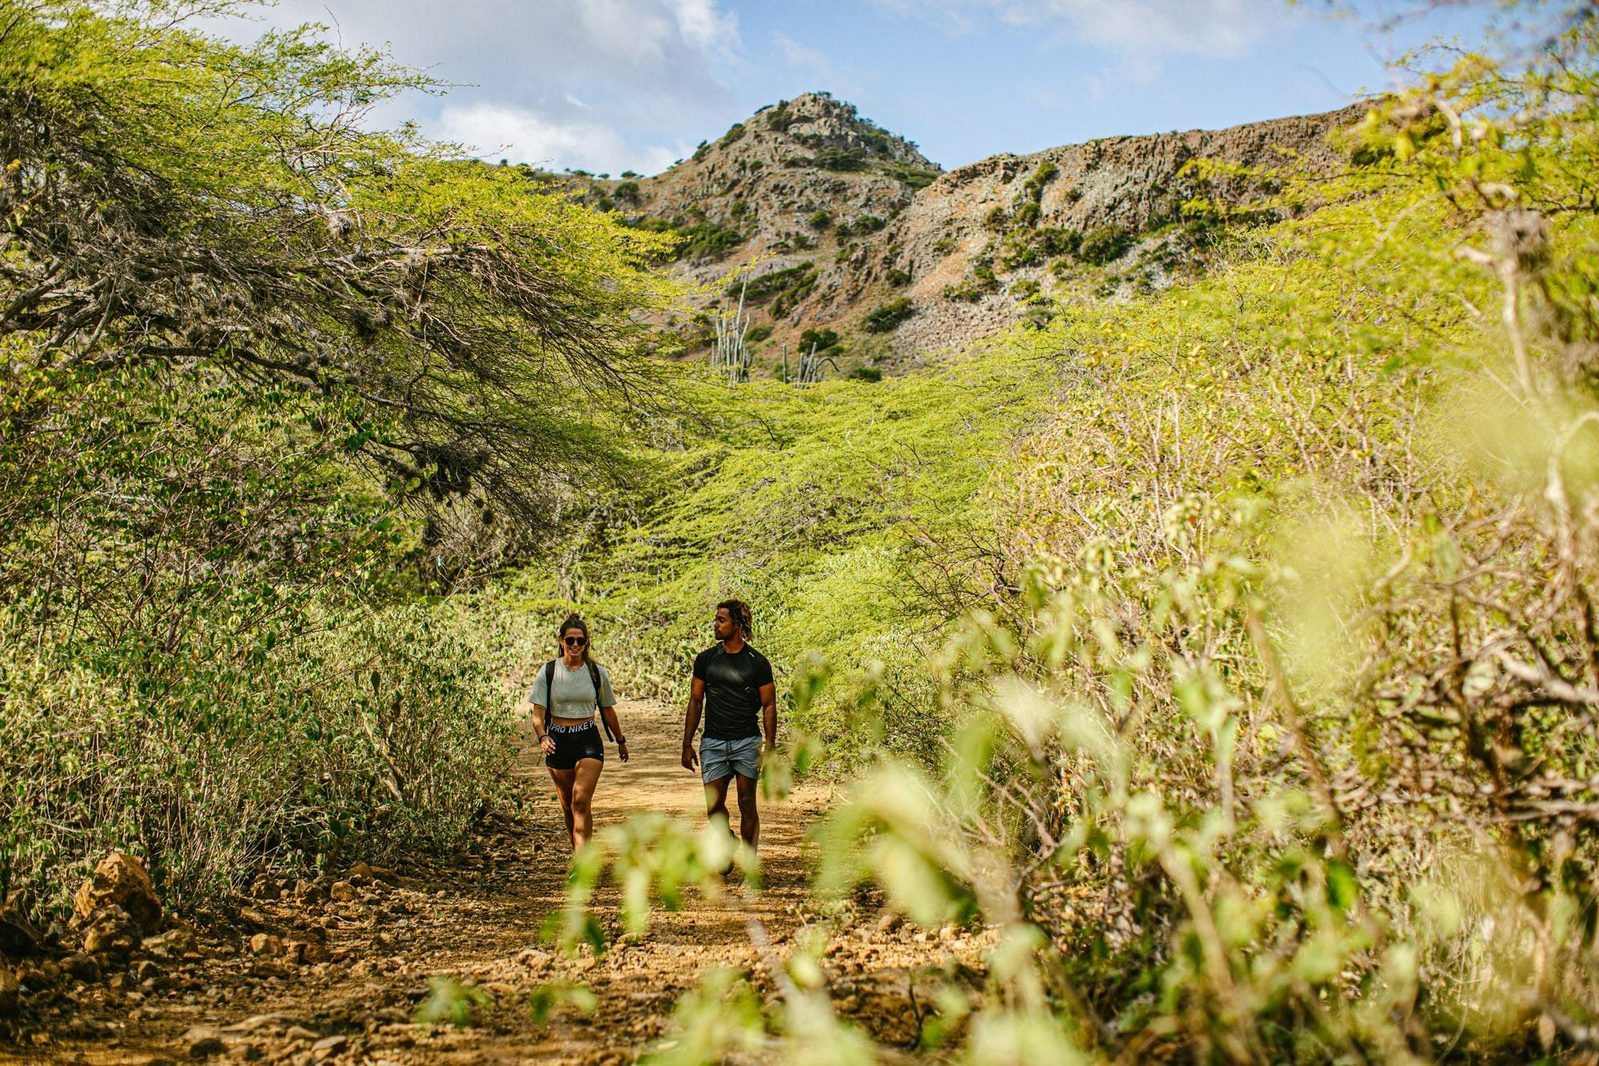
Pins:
<point x="565" y="698"/>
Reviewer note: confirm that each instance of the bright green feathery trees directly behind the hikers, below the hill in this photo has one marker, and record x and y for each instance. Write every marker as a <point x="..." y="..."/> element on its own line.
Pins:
<point x="821" y="507"/>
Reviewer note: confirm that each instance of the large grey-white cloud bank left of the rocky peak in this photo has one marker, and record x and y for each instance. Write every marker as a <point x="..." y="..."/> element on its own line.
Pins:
<point x="532" y="78"/>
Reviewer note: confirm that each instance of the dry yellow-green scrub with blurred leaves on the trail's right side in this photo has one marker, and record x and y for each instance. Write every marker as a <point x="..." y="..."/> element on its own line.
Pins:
<point x="1272" y="736"/>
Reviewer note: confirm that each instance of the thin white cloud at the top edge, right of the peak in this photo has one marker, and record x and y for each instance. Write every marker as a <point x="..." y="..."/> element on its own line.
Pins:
<point x="1218" y="28"/>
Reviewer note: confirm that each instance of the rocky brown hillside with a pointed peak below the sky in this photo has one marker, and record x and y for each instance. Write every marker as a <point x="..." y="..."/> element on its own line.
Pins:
<point x="842" y="233"/>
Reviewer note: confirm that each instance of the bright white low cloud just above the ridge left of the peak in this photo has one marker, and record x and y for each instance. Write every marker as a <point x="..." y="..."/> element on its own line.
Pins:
<point x="496" y="132"/>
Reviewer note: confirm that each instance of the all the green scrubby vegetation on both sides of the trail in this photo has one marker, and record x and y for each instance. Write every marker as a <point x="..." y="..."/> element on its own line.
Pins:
<point x="1230" y="653"/>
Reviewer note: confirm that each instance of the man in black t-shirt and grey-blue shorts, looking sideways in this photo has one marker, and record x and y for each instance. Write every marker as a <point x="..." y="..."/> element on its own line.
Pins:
<point x="733" y="685"/>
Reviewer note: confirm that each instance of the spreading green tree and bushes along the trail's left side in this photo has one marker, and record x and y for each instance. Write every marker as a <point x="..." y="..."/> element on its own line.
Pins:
<point x="257" y="405"/>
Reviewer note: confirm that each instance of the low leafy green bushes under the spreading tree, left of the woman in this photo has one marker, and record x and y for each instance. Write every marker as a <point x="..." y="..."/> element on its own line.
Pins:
<point x="237" y="754"/>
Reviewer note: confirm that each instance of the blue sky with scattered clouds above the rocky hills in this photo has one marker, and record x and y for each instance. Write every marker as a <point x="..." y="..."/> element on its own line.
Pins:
<point x="612" y="86"/>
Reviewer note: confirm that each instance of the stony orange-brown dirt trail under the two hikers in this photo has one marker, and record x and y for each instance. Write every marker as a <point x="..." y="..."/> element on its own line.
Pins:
<point x="370" y="958"/>
